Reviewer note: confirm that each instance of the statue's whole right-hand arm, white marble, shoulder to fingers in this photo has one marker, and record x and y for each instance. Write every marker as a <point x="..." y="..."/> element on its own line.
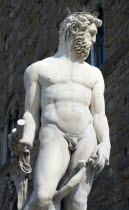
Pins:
<point x="100" y="156"/>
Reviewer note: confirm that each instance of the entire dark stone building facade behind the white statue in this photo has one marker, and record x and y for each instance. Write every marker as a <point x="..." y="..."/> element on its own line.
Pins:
<point x="28" y="33"/>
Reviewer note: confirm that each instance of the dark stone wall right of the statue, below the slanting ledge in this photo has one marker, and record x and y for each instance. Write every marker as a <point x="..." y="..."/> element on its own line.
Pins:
<point x="111" y="188"/>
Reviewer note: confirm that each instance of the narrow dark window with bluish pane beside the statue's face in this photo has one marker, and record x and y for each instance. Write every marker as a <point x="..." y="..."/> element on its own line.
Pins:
<point x="97" y="54"/>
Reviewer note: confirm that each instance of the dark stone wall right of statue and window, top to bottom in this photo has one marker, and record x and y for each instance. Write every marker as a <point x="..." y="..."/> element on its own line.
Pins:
<point x="111" y="188"/>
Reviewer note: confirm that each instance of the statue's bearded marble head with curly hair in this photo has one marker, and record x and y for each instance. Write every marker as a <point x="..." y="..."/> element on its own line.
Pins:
<point x="82" y="28"/>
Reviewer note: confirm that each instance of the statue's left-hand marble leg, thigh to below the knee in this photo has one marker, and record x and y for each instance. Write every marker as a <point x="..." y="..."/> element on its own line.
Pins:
<point x="52" y="162"/>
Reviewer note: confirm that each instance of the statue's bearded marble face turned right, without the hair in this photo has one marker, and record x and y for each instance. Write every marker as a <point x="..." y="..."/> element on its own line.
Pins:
<point x="83" y="40"/>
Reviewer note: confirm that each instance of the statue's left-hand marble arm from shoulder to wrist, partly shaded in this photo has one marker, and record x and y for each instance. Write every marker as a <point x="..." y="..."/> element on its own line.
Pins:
<point x="32" y="105"/>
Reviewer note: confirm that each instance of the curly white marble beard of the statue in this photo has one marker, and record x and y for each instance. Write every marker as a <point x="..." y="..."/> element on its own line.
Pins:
<point x="82" y="45"/>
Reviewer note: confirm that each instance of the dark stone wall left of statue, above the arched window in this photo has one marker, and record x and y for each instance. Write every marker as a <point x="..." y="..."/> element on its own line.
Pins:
<point x="28" y="33"/>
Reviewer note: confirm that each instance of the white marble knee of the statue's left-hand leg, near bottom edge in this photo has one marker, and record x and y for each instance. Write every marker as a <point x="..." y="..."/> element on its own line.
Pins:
<point x="43" y="199"/>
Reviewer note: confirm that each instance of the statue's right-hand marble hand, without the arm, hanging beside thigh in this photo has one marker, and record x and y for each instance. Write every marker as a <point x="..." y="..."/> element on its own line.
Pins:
<point x="100" y="157"/>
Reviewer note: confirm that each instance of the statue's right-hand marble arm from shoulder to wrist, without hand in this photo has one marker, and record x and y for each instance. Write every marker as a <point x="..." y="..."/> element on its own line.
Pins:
<point x="98" y="111"/>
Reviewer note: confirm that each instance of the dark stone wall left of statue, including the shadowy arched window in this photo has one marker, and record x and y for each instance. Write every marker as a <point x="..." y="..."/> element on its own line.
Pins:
<point x="28" y="33"/>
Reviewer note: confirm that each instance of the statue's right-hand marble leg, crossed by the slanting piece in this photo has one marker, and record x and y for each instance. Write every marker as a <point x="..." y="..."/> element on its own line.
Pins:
<point x="77" y="199"/>
